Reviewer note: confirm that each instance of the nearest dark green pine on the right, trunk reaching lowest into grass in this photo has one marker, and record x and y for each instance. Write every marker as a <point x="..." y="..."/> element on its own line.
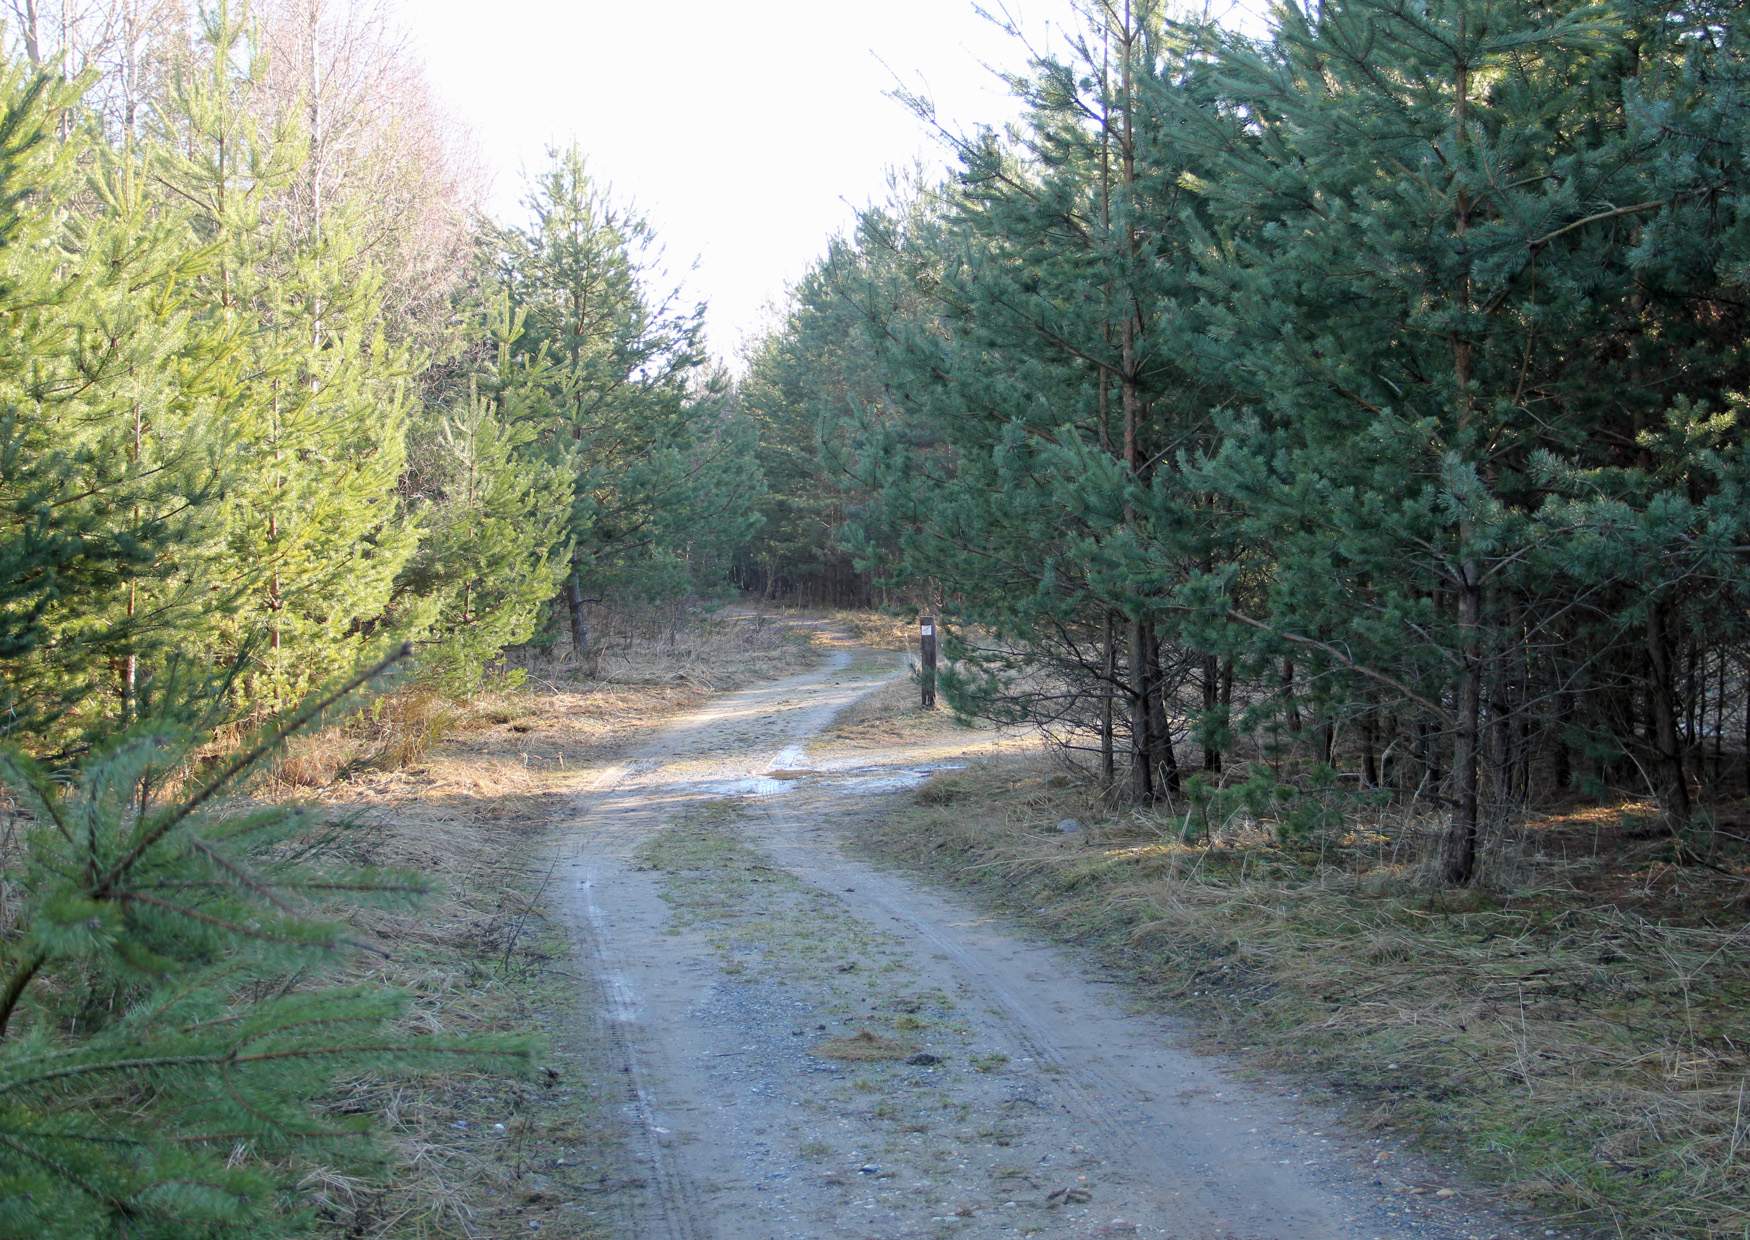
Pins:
<point x="1417" y="263"/>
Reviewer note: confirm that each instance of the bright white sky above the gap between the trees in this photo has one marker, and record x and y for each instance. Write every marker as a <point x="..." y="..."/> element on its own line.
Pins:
<point x="746" y="130"/>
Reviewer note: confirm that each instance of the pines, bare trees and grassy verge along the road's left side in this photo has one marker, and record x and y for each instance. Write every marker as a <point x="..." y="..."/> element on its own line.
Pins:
<point x="277" y="398"/>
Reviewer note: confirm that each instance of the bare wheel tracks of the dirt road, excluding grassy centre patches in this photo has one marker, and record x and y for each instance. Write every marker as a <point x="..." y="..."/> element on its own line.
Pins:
<point x="718" y="1090"/>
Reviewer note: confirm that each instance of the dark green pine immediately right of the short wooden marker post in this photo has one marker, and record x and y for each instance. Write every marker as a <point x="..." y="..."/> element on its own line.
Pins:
<point x="1051" y="375"/>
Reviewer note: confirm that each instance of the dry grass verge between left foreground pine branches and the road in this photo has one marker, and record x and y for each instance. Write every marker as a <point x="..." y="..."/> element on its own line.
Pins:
<point x="473" y="1153"/>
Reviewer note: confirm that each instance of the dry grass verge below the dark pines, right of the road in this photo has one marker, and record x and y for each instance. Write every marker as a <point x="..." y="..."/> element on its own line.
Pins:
<point x="1588" y="1054"/>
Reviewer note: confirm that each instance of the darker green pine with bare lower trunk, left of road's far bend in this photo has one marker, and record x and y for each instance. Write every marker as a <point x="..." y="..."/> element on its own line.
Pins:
<point x="627" y="396"/>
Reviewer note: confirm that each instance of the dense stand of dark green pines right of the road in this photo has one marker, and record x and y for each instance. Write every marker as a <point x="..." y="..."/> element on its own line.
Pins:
<point x="1359" y="394"/>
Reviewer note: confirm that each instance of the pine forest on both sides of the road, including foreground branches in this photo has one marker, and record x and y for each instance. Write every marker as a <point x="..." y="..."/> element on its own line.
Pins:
<point x="1284" y="424"/>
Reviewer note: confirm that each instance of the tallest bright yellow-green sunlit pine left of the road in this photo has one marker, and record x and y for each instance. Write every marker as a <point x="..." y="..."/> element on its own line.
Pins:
<point x="314" y="529"/>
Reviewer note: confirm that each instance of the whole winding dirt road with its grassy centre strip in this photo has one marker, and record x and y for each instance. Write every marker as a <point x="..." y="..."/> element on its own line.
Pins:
<point x="809" y="1045"/>
